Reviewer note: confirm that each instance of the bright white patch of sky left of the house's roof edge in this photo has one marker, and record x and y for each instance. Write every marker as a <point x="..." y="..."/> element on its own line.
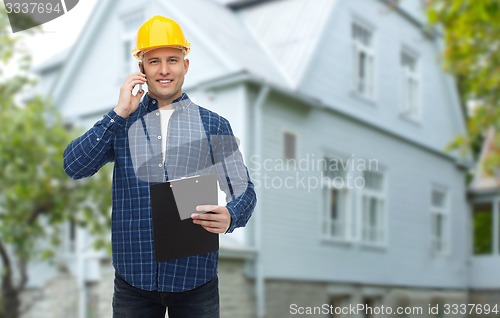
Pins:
<point x="60" y="33"/>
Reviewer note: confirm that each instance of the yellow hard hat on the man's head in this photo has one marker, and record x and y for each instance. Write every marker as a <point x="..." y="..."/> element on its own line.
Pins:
<point x="159" y="32"/>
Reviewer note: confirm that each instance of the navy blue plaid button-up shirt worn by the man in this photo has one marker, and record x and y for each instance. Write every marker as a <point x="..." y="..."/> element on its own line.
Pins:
<point x="109" y="140"/>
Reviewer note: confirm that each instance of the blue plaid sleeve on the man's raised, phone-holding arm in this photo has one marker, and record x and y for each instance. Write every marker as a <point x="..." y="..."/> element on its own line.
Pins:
<point x="85" y="155"/>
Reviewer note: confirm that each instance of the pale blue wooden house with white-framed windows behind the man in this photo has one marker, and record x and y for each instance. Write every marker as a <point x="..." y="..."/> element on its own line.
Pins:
<point x="343" y="112"/>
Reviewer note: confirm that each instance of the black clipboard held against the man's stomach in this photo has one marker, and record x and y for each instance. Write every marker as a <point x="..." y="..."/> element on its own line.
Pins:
<point x="174" y="234"/>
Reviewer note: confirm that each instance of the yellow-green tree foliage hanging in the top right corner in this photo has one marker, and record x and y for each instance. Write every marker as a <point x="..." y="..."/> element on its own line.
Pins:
<point x="472" y="54"/>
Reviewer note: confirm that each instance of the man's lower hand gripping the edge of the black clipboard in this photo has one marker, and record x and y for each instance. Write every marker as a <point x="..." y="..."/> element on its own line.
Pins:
<point x="217" y="221"/>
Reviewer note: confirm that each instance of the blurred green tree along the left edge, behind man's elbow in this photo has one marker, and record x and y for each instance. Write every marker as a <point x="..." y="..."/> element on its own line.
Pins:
<point x="37" y="199"/>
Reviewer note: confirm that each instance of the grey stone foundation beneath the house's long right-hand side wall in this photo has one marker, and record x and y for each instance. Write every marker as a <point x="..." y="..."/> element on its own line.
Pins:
<point x="286" y="299"/>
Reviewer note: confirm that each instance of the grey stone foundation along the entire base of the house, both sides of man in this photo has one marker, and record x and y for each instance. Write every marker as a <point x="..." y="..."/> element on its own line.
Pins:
<point x="284" y="298"/>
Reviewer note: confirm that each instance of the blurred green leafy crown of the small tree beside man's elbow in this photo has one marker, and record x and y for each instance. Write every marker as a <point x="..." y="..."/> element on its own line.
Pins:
<point x="37" y="196"/>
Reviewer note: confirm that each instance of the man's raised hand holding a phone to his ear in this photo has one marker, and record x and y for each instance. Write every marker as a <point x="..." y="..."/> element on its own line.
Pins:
<point x="127" y="102"/>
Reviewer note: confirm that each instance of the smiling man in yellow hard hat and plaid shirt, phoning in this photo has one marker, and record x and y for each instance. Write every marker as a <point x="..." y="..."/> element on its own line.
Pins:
<point x="190" y="140"/>
